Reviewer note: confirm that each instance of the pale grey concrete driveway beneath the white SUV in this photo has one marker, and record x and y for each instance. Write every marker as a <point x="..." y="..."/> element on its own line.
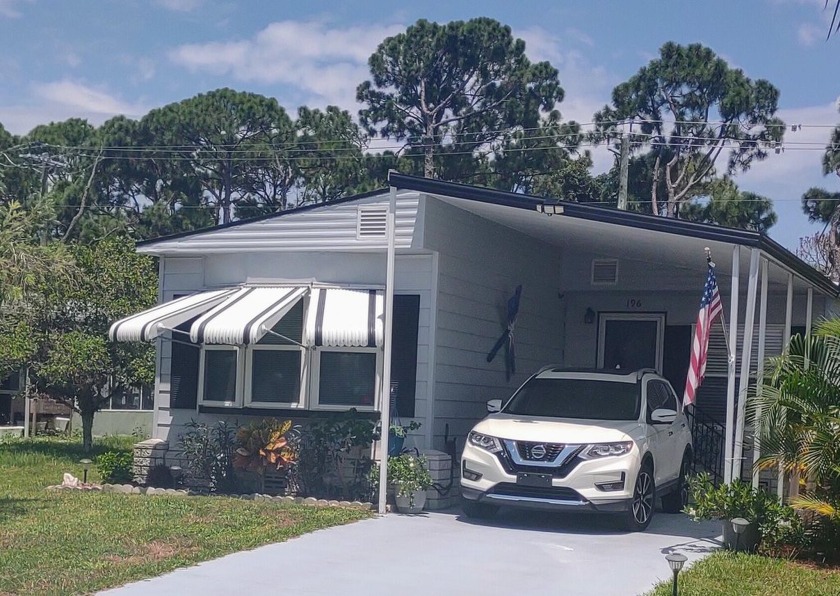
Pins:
<point x="445" y="553"/>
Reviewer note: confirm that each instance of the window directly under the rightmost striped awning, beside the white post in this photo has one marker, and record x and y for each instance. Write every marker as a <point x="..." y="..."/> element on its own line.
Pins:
<point x="347" y="378"/>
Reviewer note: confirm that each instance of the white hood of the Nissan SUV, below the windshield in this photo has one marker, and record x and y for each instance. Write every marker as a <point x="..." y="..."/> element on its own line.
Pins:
<point x="554" y="430"/>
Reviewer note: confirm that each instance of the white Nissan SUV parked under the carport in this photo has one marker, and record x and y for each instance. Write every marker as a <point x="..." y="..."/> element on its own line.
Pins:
<point x="583" y="440"/>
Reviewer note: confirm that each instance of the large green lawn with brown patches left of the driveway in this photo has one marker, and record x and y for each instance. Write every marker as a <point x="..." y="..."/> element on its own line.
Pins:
<point x="55" y="542"/>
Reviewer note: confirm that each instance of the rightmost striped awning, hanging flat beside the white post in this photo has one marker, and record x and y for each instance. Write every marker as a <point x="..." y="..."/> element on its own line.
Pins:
<point x="345" y="318"/>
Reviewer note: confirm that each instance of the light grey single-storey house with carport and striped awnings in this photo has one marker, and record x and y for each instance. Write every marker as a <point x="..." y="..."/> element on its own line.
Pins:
<point x="283" y="314"/>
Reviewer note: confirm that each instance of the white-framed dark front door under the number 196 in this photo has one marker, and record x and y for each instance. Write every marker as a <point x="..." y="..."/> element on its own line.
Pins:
<point x="630" y="341"/>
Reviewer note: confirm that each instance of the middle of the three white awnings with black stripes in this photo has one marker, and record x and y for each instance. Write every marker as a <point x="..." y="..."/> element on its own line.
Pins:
<point x="246" y="315"/>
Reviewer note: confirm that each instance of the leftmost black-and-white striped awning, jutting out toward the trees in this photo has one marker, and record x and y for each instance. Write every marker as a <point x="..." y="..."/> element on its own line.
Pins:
<point x="149" y="324"/>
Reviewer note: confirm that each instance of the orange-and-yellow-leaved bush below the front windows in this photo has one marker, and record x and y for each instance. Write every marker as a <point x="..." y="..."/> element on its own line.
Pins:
<point x="265" y="444"/>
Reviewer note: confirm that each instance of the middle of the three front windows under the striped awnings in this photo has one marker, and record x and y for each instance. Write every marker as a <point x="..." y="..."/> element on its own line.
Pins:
<point x="275" y="362"/>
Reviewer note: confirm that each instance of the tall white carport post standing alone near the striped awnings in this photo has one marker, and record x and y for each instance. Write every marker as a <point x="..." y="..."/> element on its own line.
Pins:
<point x="385" y="394"/>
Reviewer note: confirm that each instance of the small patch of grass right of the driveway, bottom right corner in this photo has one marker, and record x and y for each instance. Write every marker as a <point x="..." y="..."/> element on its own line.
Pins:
<point x="727" y="574"/>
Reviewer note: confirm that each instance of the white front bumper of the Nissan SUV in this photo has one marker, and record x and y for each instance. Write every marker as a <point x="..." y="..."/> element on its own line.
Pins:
<point x="579" y="487"/>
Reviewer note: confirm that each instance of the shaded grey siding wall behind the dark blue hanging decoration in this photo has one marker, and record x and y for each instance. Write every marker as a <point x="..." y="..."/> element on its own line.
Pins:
<point x="480" y="265"/>
